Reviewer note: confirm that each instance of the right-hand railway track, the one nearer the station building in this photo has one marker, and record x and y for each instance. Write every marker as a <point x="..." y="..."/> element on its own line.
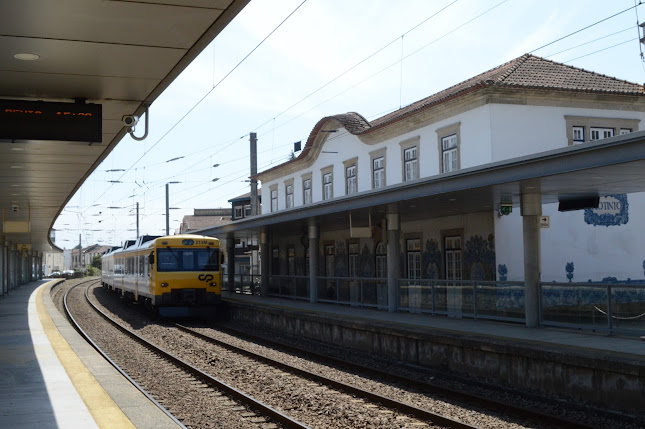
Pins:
<point x="197" y="343"/>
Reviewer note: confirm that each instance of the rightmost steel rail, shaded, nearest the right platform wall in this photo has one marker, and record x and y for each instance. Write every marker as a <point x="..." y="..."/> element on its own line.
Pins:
<point x="486" y="402"/>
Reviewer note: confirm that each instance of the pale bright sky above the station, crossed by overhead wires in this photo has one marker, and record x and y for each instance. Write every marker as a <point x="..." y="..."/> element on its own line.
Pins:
<point x="323" y="58"/>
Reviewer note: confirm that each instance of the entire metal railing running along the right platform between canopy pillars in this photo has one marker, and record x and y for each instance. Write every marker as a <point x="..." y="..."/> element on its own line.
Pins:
<point x="603" y="307"/>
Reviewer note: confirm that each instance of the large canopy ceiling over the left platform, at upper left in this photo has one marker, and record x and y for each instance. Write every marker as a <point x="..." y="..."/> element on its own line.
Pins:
<point x="69" y="71"/>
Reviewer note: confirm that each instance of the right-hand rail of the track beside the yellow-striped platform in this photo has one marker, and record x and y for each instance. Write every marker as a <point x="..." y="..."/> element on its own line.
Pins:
<point x="274" y="414"/>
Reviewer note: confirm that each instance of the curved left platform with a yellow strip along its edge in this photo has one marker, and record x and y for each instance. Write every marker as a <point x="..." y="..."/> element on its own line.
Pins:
<point x="50" y="377"/>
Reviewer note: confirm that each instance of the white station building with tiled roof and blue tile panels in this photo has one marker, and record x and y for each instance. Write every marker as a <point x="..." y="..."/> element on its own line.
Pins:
<point x="527" y="106"/>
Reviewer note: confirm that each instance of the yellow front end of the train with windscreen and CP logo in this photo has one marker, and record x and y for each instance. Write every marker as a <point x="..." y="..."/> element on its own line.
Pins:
<point x="186" y="275"/>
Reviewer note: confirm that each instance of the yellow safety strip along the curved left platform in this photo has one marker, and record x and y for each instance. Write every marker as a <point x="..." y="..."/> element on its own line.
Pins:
<point x="104" y="411"/>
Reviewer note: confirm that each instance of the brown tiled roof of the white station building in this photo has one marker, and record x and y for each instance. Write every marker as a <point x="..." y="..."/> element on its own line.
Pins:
<point x="525" y="72"/>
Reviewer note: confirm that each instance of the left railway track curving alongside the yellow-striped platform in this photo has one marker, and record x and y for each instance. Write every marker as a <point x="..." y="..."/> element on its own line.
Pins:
<point x="185" y="378"/>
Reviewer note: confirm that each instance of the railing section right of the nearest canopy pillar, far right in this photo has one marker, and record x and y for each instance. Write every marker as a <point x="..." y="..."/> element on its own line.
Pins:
<point x="603" y="307"/>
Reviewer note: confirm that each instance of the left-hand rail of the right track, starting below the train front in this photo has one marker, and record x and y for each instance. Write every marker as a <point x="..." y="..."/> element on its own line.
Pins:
<point x="385" y="401"/>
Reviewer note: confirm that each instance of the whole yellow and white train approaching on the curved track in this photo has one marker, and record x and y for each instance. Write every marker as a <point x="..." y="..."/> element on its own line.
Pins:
<point x="178" y="275"/>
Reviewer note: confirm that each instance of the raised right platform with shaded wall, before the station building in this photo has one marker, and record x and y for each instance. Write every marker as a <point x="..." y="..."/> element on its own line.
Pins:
<point x="607" y="371"/>
